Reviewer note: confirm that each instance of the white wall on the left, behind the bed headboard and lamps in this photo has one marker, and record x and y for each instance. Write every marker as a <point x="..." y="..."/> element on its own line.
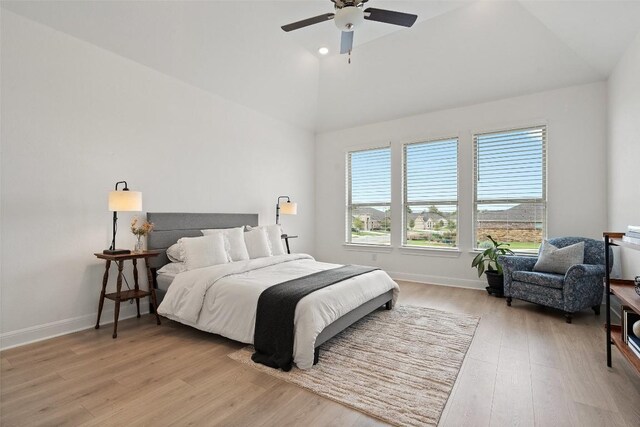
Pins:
<point x="76" y="119"/>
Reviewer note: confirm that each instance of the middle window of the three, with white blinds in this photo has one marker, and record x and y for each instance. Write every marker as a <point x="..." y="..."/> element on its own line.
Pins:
<point x="431" y="193"/>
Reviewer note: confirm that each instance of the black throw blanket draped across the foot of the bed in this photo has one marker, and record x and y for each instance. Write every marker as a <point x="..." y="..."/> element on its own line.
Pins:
<point x="273" y="337"/>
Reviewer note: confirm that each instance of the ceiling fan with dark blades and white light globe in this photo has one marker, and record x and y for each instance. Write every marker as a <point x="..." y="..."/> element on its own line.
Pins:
<point x="349" y="14"/>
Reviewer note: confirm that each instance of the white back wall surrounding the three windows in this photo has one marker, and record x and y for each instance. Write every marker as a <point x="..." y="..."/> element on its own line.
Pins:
<point x="576" y="120"/>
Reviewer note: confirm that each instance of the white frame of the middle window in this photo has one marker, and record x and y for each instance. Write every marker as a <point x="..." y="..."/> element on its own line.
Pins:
<point x="406" y="203"/>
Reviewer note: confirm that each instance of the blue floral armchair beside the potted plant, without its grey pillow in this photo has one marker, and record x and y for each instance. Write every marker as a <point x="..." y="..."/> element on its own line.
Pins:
<point x="581" y="287"/>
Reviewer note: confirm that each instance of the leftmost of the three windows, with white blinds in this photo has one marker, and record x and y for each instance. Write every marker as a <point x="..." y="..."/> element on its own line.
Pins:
<point x="369" y="197"/>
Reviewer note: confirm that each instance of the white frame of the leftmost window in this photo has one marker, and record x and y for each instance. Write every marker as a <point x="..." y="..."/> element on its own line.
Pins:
<point x="349" y="200"/>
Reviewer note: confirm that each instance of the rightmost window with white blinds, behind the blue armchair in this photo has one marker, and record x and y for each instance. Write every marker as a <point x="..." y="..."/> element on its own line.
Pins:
<point x="510" y="187"/>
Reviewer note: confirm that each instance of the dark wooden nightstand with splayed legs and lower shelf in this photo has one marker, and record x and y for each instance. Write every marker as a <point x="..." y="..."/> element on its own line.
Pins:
<point x="119" y="295"/>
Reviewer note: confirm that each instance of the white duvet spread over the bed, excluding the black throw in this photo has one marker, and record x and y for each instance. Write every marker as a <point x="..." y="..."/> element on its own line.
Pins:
<point x="223" y="298"/>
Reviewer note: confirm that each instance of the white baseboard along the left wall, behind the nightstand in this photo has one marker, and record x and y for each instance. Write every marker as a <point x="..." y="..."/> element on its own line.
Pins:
<point x="62" y="327"/>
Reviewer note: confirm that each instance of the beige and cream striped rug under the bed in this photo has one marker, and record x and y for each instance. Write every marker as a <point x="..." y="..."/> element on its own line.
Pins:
<point x="398" y="366"/>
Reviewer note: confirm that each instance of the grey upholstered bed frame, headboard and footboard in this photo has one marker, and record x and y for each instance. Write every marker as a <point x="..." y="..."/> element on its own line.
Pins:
<point x="169" y="227"/>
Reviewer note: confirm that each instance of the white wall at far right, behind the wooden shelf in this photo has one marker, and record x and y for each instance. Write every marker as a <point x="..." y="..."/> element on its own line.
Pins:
<point x="624" y="151"/>
